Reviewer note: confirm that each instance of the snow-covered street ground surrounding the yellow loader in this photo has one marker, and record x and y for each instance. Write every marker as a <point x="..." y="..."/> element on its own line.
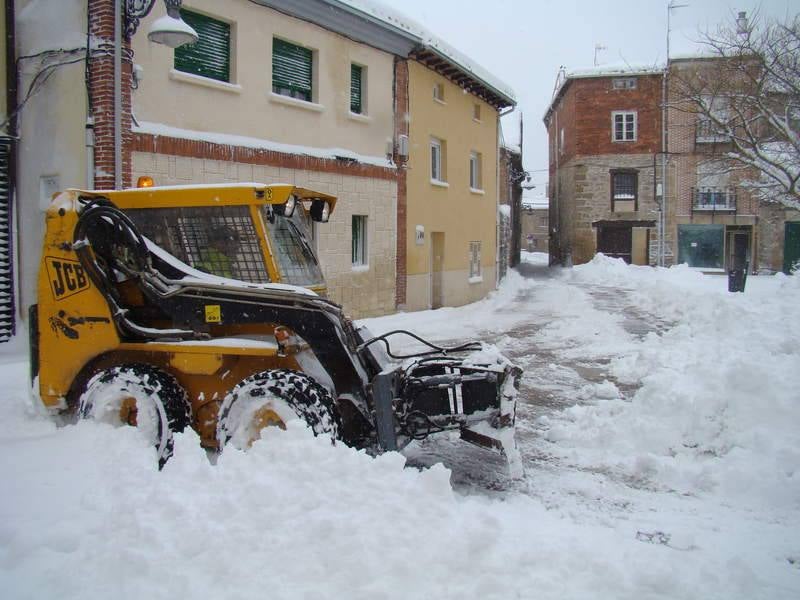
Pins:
<point x="658" y="423"/>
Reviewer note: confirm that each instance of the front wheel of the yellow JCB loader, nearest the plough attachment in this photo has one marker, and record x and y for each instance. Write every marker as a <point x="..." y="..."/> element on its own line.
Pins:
<point x="273" y="398"/>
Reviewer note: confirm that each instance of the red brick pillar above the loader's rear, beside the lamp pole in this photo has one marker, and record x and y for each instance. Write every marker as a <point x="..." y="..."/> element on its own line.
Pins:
<point x="101" y="95"/>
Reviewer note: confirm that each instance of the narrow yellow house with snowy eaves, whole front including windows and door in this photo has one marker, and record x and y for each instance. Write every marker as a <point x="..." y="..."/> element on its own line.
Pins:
<point x="452" y="178"/>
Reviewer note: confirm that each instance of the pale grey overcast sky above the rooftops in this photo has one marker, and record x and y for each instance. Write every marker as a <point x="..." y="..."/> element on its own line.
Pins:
<point x="525" y="42"/>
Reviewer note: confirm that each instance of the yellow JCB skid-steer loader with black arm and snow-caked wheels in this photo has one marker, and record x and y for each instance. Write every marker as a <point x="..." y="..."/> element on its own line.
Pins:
<point x="204" y="306"/>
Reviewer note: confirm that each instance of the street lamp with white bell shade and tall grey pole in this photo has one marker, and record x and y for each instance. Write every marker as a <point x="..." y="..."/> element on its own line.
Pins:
<point x="169" y="30"/>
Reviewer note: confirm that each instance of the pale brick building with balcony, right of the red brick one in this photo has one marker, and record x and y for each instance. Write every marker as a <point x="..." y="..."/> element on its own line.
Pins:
<point x="718" y="225"/>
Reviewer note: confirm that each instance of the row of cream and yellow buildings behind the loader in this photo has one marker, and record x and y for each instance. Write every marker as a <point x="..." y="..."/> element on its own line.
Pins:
<point x="316" y="94"/>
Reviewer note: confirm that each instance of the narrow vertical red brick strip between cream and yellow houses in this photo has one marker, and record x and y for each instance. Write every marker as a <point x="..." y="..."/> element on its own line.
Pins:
<point x="401" y="128"/>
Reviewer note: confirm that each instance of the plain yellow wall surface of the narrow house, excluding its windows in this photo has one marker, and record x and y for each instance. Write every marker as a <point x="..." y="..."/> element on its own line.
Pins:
<point x="463" y="215"/>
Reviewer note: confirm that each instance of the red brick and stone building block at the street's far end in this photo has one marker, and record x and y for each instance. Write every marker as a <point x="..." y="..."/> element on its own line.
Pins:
<point x="613" y="190"/>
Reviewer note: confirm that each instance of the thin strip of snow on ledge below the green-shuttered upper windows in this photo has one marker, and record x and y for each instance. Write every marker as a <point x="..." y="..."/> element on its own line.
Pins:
<point x="258" y="143"/>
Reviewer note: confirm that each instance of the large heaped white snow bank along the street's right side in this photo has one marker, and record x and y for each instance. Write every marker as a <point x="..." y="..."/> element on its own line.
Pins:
<point x="717" y="410"/>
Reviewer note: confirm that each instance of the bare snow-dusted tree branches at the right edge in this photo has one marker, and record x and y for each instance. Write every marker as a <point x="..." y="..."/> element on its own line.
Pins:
<point x="746" y="96"/>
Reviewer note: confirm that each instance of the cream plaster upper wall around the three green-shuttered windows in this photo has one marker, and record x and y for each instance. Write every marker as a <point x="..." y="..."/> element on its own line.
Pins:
<point x="246" y="106"/>
